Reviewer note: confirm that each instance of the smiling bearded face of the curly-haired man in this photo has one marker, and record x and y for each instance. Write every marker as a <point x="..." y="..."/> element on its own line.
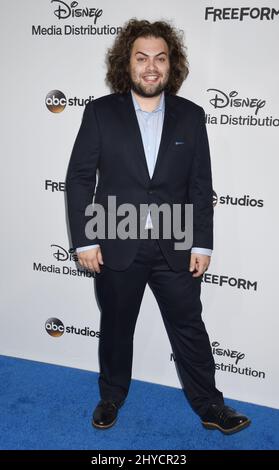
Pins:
<point x="149" y="66"/>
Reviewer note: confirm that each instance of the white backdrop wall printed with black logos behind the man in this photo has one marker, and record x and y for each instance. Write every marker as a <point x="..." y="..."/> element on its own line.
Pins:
<point x="229" y="58"/>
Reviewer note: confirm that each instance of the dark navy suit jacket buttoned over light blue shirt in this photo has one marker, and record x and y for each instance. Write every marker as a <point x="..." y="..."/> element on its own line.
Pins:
<point x="109" y="140"/>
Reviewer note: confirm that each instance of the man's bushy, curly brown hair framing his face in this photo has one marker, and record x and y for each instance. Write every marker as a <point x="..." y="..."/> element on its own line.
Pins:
<point x="118" y="57"/>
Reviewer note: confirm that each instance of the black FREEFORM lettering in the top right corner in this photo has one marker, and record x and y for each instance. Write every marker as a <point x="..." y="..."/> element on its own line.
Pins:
<point x="253" y="13"/>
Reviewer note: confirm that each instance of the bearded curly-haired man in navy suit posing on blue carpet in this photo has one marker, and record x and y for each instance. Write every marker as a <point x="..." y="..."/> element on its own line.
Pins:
<point x="149" y="147"/>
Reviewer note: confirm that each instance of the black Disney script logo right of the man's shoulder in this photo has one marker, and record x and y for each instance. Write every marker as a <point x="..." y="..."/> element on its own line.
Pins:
<point x="221" y="100"/>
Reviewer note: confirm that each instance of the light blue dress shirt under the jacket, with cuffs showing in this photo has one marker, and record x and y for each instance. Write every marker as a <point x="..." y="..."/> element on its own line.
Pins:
<point x="151" y="125"/>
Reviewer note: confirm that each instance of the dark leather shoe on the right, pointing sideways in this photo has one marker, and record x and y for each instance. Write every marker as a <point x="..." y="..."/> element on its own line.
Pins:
<point x="225" y="419"/>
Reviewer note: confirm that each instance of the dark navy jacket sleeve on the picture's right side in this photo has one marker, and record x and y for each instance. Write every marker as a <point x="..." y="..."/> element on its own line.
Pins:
<point x="200" y="189"/>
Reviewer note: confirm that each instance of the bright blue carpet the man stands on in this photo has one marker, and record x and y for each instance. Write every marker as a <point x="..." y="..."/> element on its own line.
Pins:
<point x="49" y="407"/>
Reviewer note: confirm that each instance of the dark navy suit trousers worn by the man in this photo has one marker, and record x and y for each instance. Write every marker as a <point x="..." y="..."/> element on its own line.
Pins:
<point x="120" y="293"/>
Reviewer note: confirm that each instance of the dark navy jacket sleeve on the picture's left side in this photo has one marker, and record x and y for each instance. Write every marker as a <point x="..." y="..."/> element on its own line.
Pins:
<point x="81" y="176"/>
